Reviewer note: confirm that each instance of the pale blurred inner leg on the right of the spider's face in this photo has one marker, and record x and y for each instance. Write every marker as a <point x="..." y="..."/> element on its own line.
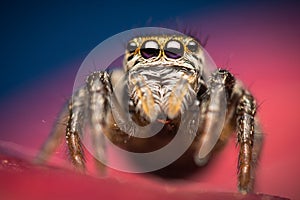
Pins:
<point x="213" y="108"/>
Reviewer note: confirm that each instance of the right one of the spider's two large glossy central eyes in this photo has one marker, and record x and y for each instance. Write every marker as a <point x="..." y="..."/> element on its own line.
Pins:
<point x="174" y="49"/>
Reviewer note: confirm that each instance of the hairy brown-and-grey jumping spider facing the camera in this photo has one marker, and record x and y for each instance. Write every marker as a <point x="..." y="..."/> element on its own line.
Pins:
<point x="165" y="81"/>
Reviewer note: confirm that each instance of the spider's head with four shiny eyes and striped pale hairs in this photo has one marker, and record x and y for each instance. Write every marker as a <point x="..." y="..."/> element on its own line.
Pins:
<point x="164" y="74"/>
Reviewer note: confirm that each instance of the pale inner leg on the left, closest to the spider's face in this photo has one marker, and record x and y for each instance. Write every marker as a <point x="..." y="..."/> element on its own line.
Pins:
<point x="99" y="92"/>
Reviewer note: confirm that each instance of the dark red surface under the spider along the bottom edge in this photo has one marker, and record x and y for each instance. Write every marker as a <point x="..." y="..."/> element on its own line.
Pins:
<point x="22" y="180"/>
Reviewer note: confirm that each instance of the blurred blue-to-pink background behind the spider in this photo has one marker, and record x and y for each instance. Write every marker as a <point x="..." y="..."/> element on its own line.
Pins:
<point x="43" y="45"/>
